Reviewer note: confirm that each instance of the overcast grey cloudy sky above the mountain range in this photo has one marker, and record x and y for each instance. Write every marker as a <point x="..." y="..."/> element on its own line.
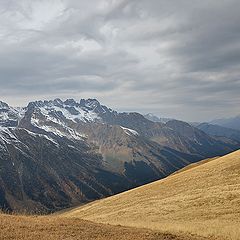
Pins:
<point x="178" y="58"/>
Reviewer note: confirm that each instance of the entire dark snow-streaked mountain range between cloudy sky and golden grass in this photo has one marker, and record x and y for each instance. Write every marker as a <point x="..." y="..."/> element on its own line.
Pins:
<point x="58" y="154"/>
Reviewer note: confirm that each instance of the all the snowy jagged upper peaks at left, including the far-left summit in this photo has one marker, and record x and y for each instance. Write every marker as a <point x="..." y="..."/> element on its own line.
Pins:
<point x="54" y="116"/>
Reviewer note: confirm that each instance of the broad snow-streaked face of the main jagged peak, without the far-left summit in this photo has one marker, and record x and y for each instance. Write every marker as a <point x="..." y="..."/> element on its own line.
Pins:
<point x="57" y="116"/>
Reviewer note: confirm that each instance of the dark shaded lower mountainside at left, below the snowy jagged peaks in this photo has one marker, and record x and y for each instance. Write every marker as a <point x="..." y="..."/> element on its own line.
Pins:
<point x="43" y="173"/>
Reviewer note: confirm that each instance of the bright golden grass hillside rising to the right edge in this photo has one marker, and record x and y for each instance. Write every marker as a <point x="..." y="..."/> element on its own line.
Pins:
<point x="203" y="200"/>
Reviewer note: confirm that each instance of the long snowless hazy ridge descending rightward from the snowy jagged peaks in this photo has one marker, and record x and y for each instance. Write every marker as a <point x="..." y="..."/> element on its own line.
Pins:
<point x="175" y="134"/>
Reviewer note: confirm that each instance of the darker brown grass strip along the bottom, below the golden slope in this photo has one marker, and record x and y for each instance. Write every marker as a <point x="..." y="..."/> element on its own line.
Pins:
<point x="61" y="228"/>
